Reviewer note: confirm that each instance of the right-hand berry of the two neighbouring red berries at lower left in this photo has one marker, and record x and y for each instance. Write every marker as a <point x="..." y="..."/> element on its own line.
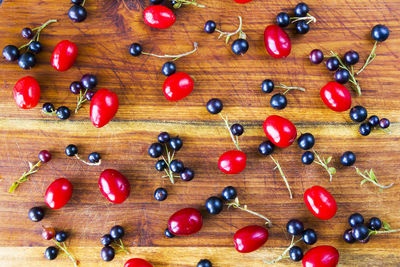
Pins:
<point x="114" y="186"/>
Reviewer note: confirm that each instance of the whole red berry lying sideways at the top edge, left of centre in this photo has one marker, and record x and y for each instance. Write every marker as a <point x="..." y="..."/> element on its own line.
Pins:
<point x="158" y="16"/>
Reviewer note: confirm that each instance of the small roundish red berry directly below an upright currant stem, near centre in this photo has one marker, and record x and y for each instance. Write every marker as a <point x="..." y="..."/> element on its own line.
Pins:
<point x="232" y="162"/>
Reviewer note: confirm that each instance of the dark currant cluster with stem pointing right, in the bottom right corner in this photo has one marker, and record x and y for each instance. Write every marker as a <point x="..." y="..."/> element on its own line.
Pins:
<point x="362" y="232"/>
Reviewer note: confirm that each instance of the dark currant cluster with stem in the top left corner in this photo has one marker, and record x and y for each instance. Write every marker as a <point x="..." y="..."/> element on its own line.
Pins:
<point x="26" y="58"/>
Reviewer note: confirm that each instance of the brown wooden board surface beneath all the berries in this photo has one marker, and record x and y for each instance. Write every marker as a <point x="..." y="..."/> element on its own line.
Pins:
<point x="103" y="41"/>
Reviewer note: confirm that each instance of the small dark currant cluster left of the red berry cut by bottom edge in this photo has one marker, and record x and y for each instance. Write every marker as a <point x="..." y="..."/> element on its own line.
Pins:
<point x="114" y="238"/>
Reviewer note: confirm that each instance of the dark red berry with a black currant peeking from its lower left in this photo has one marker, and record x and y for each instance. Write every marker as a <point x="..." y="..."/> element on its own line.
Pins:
<point x="185" y="222"/>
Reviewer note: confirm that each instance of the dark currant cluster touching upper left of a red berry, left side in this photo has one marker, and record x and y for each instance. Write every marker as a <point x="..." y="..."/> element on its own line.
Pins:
<point x="83" y="88"/>
